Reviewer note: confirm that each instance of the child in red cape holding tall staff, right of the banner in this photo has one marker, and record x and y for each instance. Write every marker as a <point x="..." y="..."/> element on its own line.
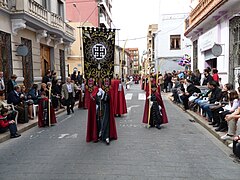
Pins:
<point x="155" y="106"/>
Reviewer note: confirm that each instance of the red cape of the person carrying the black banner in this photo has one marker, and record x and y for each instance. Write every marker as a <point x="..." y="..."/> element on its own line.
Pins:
<point x="92" y="130"/>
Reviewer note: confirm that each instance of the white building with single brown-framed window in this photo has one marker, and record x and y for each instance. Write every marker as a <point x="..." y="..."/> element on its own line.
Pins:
<point x="170" y="43"/>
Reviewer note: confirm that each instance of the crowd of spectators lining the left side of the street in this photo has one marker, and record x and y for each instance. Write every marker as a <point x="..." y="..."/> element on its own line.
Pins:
<point x="20" y="103"/>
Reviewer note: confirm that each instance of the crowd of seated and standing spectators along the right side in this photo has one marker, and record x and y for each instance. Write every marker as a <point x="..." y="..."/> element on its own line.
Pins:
<point x="218" y="104"/>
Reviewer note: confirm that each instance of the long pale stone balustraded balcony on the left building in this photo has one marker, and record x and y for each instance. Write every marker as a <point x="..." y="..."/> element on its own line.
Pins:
<point x="32" y="14"/>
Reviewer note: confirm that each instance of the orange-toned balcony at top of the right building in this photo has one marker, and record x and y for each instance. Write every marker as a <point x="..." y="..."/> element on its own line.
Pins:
<point x="201" y="12"/>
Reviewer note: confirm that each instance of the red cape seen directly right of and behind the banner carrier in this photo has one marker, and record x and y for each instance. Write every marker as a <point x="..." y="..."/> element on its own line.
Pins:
<point x="119" y="101"/>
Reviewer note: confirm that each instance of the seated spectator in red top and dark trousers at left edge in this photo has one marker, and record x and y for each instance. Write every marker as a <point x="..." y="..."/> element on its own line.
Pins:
<point x="7" y="122"/>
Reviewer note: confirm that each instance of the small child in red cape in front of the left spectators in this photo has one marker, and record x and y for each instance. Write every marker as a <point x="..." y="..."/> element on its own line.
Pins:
<point x="43" y="112"/>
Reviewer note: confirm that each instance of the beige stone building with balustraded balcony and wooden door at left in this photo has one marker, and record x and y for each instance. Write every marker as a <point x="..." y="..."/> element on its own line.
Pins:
<point x="33" y="38"/>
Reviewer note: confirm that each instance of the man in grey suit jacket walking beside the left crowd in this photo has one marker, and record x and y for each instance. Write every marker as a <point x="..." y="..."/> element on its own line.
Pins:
<point x="68" y="93"/>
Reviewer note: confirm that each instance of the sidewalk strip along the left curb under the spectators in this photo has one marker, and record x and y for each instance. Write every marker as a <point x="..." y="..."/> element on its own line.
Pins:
<point x="26" y="126"/>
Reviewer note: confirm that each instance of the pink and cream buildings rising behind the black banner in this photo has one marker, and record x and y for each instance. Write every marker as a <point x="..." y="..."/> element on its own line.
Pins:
<point x="95" y="13"/>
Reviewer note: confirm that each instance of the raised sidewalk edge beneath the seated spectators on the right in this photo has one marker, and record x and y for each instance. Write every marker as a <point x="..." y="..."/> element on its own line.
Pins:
<point x="203" y="122"/>
